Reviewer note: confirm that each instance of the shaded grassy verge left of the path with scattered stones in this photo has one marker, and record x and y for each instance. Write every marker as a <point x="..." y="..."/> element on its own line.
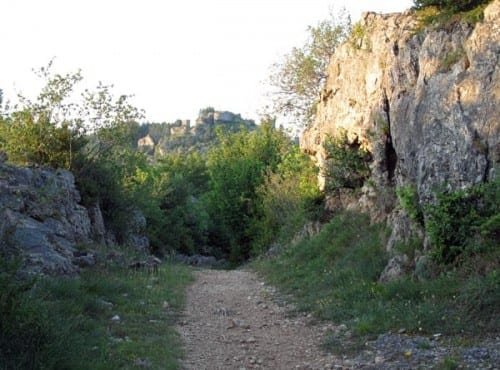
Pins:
<point x="108" y="318"/>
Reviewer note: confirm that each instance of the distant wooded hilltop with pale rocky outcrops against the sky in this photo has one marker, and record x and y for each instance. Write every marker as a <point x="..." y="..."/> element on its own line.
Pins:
<point x="158" y="139"/>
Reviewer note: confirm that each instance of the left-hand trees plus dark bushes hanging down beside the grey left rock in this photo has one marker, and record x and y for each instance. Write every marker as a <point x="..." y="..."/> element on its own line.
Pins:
<point x="92" y="137"/>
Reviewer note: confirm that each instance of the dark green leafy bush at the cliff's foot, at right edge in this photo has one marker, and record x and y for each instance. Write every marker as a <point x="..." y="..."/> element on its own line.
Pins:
<point x="464" y="222"/>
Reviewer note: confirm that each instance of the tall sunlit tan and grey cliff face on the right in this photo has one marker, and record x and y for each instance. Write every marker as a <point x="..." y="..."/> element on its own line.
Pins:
<point x="424" y="103"/>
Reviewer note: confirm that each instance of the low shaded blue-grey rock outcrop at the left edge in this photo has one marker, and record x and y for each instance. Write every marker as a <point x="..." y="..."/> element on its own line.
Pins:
<point x="41" y="219"/>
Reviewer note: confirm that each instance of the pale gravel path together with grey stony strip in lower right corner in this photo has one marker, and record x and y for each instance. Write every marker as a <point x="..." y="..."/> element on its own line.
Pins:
<point x="235" y="321"/>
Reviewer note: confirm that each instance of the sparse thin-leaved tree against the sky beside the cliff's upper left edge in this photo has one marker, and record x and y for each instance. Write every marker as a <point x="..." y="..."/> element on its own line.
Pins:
<point x="298" y="79"/>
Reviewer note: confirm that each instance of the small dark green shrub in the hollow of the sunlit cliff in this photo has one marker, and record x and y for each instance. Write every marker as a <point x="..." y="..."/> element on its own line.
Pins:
<point x="347" y="163"/>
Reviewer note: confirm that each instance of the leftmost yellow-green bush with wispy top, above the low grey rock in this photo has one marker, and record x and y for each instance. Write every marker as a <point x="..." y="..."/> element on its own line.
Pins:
<point x="44" y="131"/>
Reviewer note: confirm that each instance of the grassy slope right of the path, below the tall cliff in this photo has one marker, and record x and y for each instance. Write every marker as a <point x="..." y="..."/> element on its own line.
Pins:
<point x="334" y="275"/>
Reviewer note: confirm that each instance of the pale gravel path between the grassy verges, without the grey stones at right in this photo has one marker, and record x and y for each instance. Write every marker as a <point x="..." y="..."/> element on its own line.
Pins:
<point x="231" y="322"/>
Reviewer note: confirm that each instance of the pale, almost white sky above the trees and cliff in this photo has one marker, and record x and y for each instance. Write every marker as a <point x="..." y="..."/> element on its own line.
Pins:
<point x="174" y="56"/>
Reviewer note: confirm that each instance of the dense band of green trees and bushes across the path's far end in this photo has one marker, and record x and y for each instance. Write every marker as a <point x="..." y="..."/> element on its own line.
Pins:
<point x="210" y="203"/>
